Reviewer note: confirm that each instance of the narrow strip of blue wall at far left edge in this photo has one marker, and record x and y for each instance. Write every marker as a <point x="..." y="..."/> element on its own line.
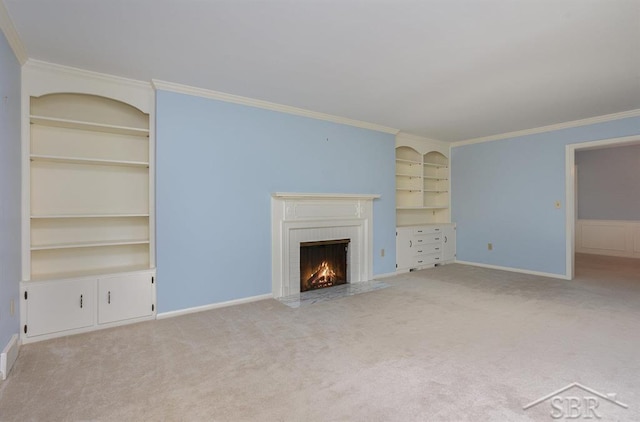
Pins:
<point x="9" y="190"/>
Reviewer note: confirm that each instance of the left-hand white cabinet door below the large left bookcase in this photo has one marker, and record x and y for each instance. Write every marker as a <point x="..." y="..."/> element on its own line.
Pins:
<point x="57" y="306"/>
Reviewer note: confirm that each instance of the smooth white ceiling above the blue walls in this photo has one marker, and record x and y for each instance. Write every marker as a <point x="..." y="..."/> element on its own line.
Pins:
<point x="444" y="69"/>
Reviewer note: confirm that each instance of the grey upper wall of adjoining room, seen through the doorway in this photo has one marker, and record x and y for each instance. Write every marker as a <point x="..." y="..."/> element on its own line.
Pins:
<point x="609" y="183"/>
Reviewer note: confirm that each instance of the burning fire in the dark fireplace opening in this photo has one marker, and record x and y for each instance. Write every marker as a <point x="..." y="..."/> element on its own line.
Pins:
<point x="323" y="264"/>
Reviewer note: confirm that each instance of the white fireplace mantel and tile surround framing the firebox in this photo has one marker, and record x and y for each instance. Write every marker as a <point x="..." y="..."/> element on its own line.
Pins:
<point x="307" y="217"/>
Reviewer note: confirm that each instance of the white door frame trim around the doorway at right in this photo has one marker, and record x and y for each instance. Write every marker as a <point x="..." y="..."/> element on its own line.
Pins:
<point x="570" y="190"/>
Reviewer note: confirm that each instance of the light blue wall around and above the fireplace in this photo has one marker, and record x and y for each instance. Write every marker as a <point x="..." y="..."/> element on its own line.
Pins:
<point x="217" y="165"/>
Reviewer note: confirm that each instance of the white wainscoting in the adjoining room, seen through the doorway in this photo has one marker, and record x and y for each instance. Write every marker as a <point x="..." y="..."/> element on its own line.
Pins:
<point x="608" y="237"/>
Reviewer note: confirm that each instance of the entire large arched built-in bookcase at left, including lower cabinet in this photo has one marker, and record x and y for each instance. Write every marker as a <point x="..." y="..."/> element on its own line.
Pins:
<point x="88" y="194"/>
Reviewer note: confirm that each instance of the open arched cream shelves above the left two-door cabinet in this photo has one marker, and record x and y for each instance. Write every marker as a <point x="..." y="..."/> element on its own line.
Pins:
<point x="89" y="186"/>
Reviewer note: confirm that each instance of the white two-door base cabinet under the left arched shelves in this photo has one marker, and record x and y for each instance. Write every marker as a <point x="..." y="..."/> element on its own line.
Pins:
<point x="55" y="308"/>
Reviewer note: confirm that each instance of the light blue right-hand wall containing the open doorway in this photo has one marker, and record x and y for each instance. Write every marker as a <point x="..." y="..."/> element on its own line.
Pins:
<point x="504" y="192"/>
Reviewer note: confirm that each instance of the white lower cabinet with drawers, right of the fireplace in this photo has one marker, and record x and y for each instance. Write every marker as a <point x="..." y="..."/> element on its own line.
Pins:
<point x="424" y="246"/>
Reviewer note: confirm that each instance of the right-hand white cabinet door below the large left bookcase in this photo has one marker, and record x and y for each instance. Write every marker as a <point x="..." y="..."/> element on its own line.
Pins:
<point x="124" y="297"/>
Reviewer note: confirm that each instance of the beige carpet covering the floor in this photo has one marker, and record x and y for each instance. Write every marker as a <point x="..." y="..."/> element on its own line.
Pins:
<point x="454" y="343"/>
